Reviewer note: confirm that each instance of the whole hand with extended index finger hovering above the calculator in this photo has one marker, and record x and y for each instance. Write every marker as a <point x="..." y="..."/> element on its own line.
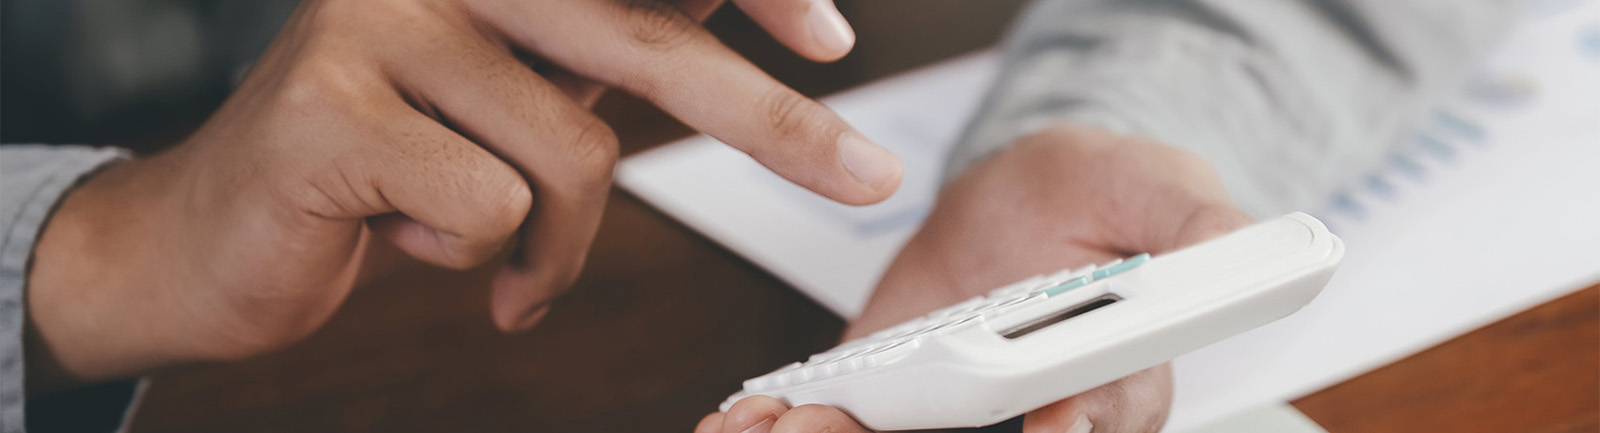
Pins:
<point x="436" y="127"/>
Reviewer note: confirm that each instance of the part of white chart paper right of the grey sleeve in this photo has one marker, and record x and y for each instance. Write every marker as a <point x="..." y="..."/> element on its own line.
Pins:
<point x="1494" y="209"/>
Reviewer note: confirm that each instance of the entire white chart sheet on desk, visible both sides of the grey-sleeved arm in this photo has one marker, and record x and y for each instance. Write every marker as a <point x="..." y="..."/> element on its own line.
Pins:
<point x="1494" y="207"/>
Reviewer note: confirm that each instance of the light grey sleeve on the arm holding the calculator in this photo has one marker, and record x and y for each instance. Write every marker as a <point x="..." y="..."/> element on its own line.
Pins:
<point x="1287" y="100"/>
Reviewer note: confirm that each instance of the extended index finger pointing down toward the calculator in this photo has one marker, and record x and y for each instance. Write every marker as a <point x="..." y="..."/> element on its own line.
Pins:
<point x="657" y="52"/>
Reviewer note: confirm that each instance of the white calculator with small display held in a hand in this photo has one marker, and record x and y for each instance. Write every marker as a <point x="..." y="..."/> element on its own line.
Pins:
<point x="1054" y="336"/>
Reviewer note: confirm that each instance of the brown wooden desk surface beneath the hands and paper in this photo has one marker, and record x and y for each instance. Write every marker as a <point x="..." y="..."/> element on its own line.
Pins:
<point x="665" y="324"/>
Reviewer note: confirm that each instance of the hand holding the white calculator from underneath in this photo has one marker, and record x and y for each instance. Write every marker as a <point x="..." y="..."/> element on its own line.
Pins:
<point x="1060" y="199"/>
